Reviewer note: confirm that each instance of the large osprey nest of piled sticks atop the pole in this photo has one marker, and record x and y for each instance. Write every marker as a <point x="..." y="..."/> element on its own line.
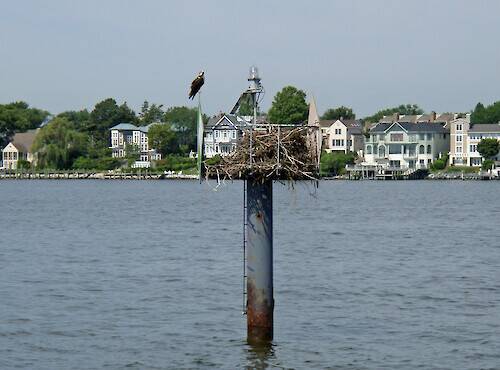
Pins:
<point x="269" y="152"/>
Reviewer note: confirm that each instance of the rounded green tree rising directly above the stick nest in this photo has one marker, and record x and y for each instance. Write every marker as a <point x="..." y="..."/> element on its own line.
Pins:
<point x="289" y="106"/>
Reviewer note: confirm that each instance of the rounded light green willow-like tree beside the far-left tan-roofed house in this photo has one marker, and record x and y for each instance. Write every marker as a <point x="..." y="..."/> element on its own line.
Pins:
<point x="58" y="144"/>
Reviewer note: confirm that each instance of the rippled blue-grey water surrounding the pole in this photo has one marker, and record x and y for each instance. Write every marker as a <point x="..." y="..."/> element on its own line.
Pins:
<point x="147" y="275"/>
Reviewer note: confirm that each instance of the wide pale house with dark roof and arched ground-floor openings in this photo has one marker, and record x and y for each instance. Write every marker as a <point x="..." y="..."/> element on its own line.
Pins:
<point x="405" y="145"/>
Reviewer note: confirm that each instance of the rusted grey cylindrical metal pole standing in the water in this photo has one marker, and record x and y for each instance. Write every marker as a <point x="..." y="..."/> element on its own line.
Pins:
<point x="260" y="301"/>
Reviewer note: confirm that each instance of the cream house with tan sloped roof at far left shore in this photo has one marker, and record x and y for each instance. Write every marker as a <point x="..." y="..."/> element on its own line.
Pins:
<point x="19" y="148"/>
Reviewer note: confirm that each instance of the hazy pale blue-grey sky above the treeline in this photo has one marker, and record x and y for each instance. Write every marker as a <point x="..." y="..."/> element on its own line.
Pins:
<point x="68" y="55"/>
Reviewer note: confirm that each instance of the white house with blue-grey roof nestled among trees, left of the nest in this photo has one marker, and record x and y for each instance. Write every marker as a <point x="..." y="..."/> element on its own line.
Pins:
<point x="125" y="135"/>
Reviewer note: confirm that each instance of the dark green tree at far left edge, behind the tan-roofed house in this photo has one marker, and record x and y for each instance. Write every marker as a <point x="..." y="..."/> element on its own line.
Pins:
<point x="18" y="117"/>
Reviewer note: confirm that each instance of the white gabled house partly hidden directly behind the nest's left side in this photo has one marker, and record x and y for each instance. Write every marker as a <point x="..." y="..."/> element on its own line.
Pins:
<point x="222" y="134"/>
